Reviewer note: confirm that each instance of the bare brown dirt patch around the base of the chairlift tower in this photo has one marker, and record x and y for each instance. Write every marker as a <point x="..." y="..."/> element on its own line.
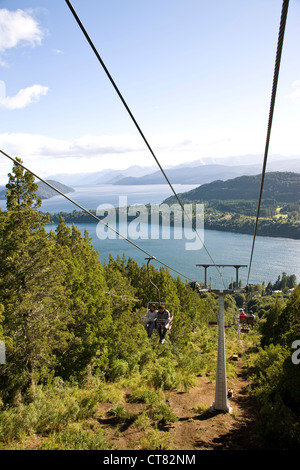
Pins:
<point x="196" y="430"/>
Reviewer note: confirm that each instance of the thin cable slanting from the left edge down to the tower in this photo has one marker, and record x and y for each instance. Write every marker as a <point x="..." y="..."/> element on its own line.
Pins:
<point x="92" y="215"/>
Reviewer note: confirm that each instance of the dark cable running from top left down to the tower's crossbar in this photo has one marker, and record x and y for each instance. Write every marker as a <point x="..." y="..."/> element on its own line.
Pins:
<point x="136" y="124"/>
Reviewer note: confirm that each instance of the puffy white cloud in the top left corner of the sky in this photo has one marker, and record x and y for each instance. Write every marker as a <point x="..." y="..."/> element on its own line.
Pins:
<point x="18" y="28"/>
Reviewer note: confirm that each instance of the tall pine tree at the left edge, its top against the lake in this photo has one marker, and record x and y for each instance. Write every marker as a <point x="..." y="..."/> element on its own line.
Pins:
<point x="30" y="289"/>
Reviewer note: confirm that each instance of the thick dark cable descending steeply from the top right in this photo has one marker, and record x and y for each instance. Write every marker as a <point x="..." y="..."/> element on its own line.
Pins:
<point x="271" y="112"/>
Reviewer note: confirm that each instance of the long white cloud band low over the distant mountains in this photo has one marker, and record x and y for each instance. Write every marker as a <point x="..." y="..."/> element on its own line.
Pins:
<point x="46" y="155"/>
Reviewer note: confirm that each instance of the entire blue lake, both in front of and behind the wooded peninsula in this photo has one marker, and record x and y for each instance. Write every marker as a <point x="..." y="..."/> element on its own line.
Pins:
<point x="272" y="256"/>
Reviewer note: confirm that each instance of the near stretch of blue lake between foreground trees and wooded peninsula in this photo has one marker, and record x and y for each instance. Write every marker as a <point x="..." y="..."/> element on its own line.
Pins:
<point x="272" y="256"/>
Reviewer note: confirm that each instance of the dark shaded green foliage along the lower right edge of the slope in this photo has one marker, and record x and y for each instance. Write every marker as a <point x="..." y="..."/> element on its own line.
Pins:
<point x="277" y="378"/>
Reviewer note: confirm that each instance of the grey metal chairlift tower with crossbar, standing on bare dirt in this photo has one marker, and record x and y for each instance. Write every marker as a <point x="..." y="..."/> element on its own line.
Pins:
<point x="221" y="403"/>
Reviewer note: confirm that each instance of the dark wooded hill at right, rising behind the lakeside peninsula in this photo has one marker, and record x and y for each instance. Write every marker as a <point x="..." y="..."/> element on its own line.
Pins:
<point x="278" y="186"/>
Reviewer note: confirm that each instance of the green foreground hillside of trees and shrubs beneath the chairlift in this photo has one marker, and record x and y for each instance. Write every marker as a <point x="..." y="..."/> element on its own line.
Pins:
<point x="75" y="340"/>
